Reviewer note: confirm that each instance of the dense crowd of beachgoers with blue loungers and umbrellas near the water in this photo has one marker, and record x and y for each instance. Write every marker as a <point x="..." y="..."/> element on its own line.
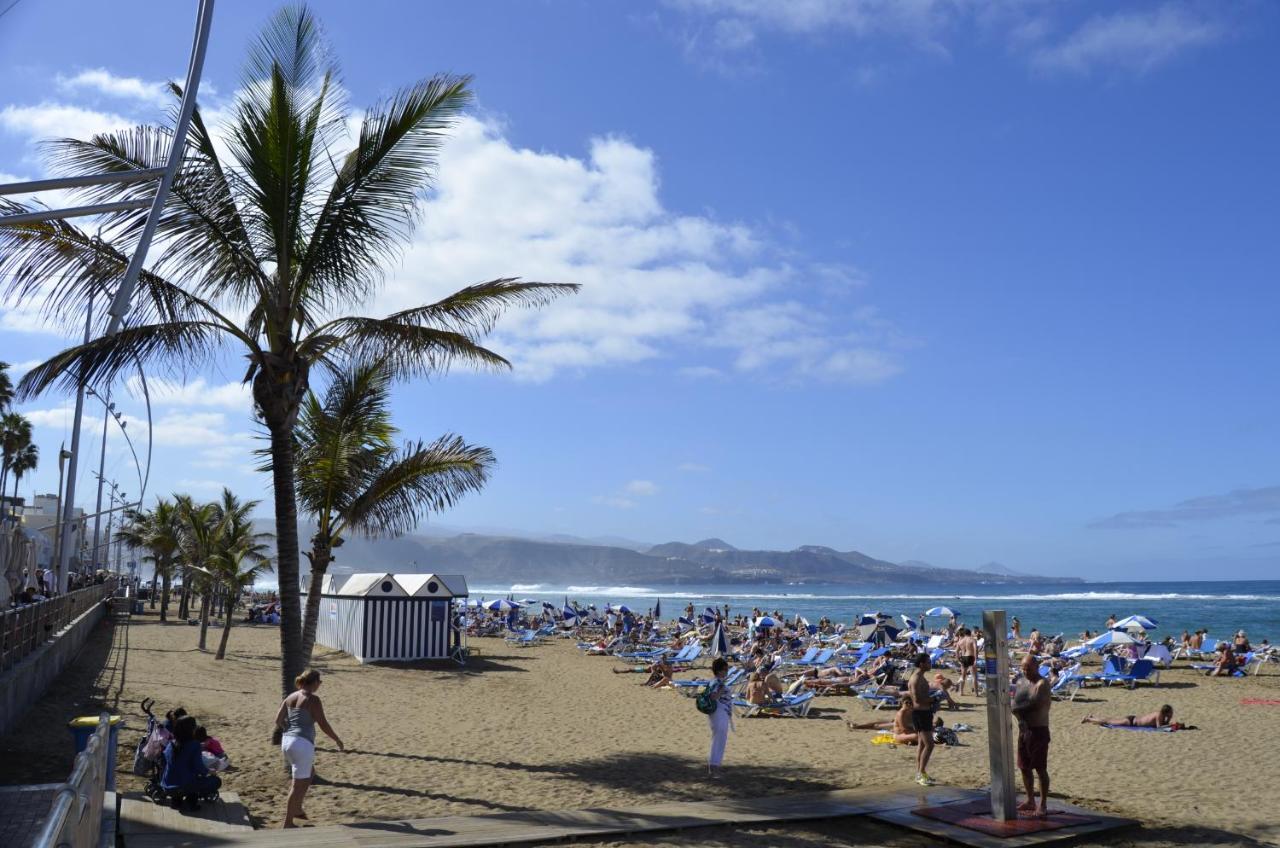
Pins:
<point x="780" y="665"/>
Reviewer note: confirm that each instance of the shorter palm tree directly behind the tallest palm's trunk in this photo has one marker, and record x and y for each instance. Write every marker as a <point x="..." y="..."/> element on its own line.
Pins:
<point x="353" y="478"/>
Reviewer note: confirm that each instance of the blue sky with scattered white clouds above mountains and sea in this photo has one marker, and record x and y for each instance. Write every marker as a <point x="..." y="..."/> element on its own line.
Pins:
<point x="935" y="281"/>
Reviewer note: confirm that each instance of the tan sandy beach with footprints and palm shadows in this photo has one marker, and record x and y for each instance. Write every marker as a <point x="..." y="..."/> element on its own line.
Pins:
<point x="550" y="728"/>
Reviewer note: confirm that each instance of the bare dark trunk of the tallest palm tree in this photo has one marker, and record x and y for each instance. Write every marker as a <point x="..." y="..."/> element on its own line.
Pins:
<point x="292" y="662"/>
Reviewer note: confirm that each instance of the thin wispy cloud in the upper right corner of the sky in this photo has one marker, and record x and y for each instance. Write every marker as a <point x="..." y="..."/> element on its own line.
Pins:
<point x="1137" y="42"/>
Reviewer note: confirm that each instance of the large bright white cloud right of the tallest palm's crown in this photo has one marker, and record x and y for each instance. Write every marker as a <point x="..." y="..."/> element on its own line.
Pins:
<point x="652" y="280"/>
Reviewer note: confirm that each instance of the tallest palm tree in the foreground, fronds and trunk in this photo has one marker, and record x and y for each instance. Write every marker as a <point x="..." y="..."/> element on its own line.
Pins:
<point x="267" y="252"/>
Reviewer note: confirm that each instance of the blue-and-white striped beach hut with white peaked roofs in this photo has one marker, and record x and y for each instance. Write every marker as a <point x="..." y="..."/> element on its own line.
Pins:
<point x="381" y="617"/>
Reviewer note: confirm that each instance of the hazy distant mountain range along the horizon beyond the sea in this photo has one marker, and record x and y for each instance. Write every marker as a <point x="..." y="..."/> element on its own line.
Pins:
<point x="574" y="562"/>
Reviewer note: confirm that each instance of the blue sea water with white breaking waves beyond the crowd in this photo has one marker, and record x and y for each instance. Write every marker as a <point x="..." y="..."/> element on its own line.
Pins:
<point x="1220" y="607"/>
